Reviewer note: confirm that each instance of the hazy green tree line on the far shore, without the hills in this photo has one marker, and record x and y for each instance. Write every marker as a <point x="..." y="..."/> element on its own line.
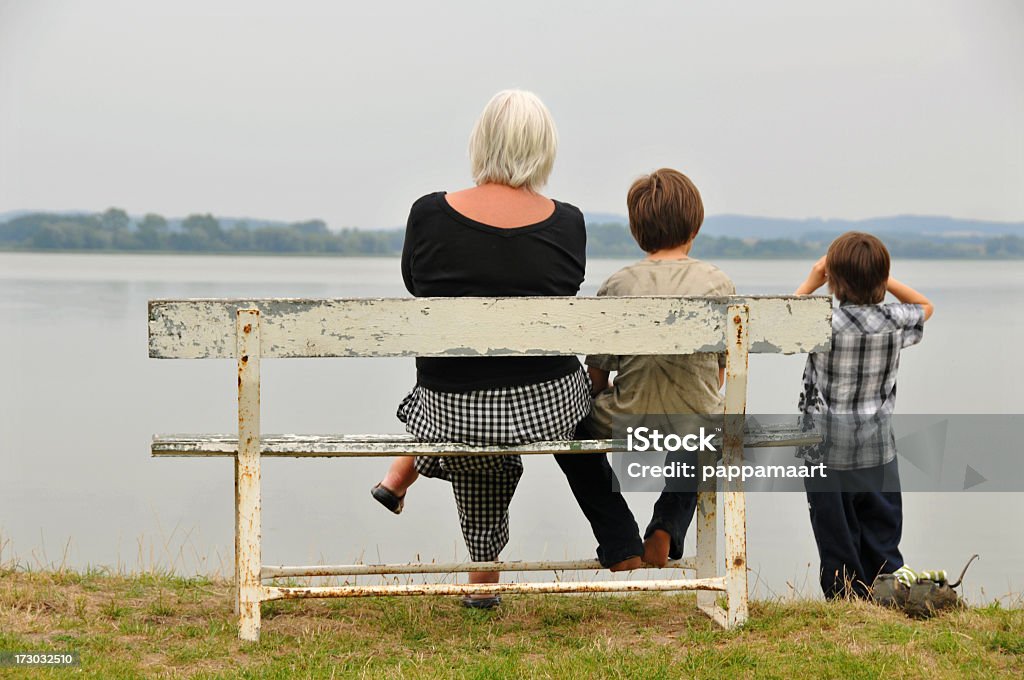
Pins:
<point x="114" y="230"/>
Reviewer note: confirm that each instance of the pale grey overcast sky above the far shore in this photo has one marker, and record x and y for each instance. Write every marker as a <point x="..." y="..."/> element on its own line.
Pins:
<point x="350" y="111"/>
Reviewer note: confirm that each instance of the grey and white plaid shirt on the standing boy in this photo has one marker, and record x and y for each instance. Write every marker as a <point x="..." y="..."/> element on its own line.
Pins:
<point x="850" y="392"/>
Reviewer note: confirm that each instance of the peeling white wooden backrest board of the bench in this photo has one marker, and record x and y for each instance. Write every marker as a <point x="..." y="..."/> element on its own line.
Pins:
<point x="488" y="327"/>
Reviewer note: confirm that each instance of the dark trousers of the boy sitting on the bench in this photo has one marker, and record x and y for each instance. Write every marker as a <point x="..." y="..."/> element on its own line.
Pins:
<point x="594" y="487"/>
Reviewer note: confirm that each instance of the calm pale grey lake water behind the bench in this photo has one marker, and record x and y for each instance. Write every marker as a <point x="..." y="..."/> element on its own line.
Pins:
<point x="80" y="400"/>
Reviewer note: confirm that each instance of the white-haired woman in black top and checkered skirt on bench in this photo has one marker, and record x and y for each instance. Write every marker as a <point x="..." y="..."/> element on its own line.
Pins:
<point x="501" y="238"/>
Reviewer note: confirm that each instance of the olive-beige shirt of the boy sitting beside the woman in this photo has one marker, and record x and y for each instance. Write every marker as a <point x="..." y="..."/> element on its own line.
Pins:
<point x="663" y="384"/>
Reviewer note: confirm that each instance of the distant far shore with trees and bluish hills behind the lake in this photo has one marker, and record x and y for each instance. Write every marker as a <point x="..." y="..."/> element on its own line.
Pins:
<point x="721" y="237"/>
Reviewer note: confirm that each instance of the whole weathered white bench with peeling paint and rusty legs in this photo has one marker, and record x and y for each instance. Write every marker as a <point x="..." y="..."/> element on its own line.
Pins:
<point x="249" y="331"/>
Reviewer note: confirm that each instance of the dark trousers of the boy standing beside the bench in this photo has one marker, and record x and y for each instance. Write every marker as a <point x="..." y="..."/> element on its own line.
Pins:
<point x="858" y="518"/>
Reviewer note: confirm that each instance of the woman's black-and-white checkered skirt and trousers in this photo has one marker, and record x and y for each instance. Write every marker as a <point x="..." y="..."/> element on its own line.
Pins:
<point x="484" y="485"/>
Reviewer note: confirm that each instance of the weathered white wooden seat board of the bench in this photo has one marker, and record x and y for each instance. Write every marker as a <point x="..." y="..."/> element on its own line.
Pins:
<point x="338" y="446"/>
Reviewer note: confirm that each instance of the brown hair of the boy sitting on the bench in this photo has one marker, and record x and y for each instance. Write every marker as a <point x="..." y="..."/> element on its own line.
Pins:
<point x="665" y="210"/>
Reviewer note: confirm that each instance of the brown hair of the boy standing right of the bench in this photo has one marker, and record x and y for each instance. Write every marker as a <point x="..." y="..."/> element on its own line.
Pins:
<point x="858" y="266"/>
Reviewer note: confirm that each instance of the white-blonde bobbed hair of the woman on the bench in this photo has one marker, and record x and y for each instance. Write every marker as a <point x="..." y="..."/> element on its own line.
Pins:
<point x="515" y="142"/>
